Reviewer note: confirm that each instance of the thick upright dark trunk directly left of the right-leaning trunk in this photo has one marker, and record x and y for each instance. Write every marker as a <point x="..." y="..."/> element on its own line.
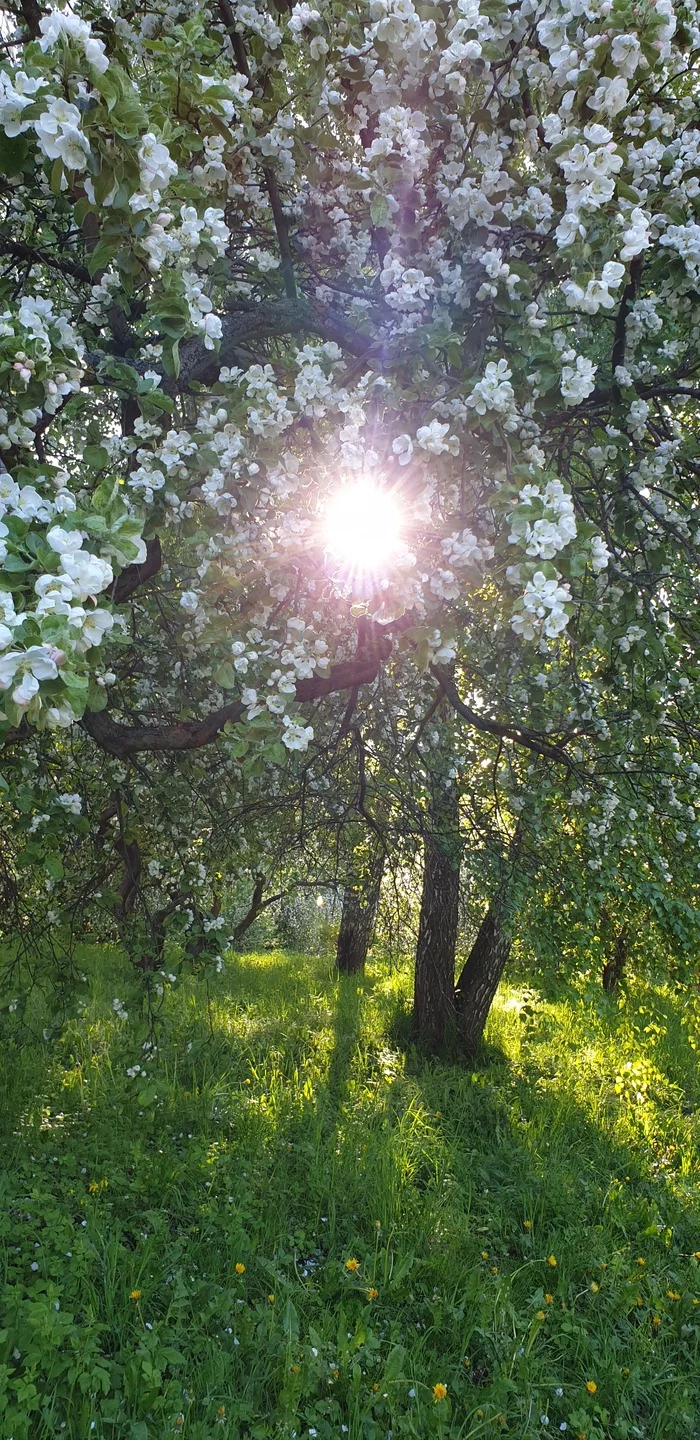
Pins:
<point x="434" y="996"/>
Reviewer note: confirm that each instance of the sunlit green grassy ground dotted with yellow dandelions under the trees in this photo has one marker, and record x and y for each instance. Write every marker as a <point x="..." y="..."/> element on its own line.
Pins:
<point x="292" y="1228"/>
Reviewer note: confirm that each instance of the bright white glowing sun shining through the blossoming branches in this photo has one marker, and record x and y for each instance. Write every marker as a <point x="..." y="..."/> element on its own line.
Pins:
<point x="364" y="528"/>
